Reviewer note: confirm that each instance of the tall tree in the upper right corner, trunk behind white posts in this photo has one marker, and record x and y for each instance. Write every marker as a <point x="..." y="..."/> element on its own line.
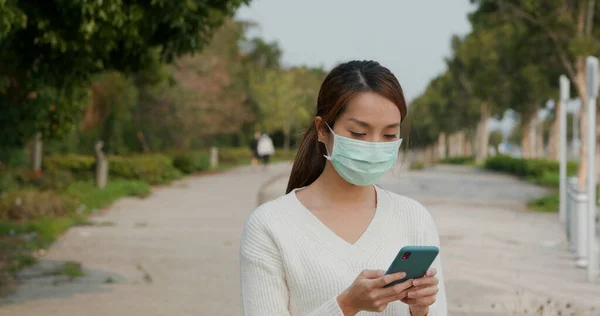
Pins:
<point x="569" y="28"/>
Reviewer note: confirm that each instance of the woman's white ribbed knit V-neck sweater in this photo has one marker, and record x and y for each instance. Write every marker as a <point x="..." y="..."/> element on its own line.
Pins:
<point x="292" y="264"/>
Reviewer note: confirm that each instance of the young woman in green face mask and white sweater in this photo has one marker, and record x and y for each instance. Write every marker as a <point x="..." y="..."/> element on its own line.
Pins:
<point x="322" y="248"/>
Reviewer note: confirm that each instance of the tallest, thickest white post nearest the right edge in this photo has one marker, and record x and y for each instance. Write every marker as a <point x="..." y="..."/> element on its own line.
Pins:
<point x="592" y="89"/>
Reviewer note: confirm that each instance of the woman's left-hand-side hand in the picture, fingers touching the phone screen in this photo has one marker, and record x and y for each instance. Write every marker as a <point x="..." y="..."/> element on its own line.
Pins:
<point x="368" y="294"/>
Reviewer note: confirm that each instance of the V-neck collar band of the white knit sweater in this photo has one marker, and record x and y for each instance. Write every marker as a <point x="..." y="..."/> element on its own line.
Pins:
<point x="366" y="245"/>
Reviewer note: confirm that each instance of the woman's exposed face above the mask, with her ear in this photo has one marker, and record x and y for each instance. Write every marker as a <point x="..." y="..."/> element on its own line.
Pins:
<point x="367" y="117"/>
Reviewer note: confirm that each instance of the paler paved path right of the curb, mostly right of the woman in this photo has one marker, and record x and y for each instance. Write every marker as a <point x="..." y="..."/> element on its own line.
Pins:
<point x="499" y="259"/>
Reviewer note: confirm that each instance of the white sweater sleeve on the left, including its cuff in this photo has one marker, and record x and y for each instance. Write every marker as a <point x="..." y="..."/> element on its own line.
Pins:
<point x="263" y="281"/>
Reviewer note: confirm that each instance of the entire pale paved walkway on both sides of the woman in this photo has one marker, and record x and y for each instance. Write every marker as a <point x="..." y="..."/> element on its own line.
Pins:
<point x="175" y="253"/>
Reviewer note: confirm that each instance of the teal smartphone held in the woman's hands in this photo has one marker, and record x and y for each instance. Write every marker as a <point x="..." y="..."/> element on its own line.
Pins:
<point x="414" y="261"/>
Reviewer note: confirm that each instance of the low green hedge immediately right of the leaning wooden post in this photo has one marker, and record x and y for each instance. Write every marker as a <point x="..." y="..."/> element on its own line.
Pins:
<point x="154" y="169"/>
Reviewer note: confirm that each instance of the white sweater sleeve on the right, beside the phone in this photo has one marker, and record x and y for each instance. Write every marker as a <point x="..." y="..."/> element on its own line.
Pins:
<point x="440" y="307"/>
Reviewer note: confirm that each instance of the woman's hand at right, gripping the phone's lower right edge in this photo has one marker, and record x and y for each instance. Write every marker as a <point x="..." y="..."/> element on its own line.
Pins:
<point x="422" y="294"/>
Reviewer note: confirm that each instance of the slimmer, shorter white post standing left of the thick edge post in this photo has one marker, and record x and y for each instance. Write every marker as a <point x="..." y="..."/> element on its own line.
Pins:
<point x="564" y="97"/>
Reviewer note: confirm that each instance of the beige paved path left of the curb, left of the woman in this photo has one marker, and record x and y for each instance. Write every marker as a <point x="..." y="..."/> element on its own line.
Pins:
<point x="174" y="253"/>
